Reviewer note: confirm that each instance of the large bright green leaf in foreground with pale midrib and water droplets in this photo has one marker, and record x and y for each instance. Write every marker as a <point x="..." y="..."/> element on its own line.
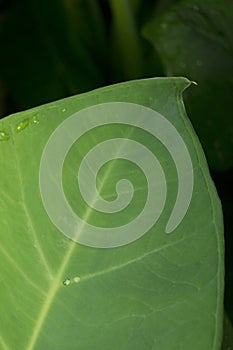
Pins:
<point x="161" y="290"/>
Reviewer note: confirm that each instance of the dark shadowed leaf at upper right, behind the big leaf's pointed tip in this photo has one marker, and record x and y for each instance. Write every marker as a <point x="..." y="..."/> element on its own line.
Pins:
<point x="195" y="39"/>
